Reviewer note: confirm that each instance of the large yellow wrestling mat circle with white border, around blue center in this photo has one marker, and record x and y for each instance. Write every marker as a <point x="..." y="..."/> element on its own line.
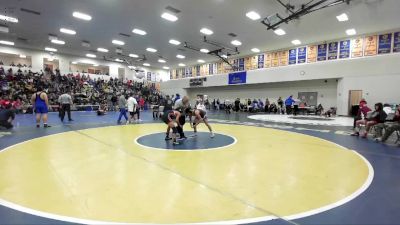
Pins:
<point x="102" y="175"/>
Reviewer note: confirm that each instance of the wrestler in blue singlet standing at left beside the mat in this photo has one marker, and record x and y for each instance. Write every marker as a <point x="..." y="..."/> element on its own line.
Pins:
<point x="40" y="103"/>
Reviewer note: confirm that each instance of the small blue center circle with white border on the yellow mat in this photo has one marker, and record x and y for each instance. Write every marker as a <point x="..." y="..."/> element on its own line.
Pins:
<point x="198" y="141"/>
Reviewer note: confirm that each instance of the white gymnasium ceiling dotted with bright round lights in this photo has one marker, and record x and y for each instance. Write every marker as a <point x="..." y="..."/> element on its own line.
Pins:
<point x="112" y="17"/>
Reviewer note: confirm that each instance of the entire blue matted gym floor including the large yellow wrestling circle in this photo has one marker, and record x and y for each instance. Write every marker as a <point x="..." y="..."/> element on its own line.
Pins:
<point x="92" y="171"/>
